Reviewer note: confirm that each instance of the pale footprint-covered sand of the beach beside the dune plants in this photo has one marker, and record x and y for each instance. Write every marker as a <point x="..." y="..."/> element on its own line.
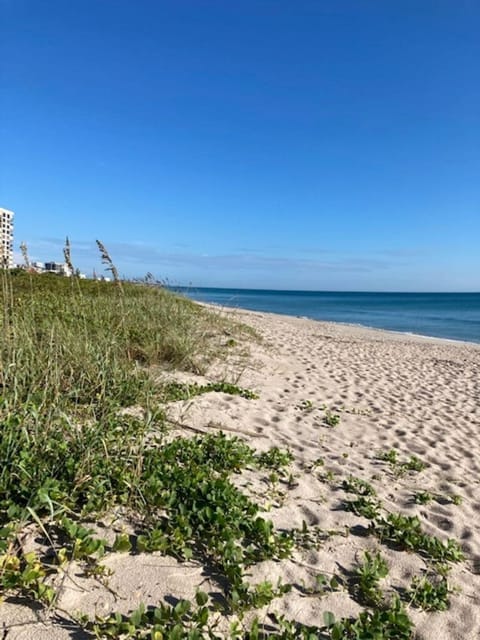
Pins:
<point x="338" y="397"/>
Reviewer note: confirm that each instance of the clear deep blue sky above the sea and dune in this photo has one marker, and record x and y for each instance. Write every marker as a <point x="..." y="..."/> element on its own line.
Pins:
<point x="292" y="144"/>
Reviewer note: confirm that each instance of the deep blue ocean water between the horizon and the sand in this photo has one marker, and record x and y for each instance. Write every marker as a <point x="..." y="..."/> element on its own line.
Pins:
<point x="454" y="316"/>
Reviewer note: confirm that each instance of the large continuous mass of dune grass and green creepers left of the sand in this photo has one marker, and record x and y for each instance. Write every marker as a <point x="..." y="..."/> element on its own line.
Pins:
<point x="72" y="354"/>
